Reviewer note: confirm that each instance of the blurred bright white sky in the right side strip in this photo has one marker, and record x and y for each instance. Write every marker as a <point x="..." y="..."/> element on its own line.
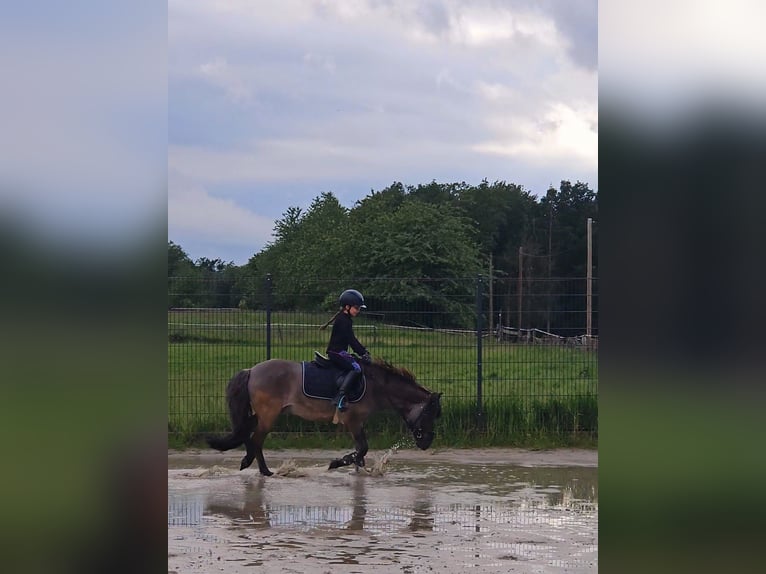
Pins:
<point x="696" y="51"/>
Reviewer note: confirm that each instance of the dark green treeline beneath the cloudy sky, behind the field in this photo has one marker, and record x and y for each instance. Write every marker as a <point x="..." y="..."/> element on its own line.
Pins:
<point x="427" y="236"/>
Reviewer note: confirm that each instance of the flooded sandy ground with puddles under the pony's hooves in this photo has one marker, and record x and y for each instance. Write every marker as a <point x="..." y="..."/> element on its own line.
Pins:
<point x="490" y="510"/>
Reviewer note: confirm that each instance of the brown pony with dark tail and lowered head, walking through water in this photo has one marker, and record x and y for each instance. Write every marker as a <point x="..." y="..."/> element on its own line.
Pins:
<point x="258" y="395"/>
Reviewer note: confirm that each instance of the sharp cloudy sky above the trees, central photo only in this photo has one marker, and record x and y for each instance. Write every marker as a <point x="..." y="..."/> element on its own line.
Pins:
<point x="272" y="103"/>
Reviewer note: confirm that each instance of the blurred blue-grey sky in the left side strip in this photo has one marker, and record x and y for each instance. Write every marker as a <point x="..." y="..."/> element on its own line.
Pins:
<point x="84" y="120"/>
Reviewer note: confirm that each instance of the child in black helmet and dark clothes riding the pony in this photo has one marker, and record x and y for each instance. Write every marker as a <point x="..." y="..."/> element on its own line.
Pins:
<point x="342" y="336"/>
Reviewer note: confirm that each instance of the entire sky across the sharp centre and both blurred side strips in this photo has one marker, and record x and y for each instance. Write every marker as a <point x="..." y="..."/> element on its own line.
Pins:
<point x="205" y="121"/>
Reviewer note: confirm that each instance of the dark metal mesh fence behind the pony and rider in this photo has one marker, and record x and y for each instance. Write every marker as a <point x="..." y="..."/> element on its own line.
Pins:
<point x="508" y="355"/>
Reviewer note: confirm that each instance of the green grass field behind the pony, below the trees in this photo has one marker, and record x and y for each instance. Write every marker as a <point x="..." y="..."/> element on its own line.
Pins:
<point x="532" y="395"/>
